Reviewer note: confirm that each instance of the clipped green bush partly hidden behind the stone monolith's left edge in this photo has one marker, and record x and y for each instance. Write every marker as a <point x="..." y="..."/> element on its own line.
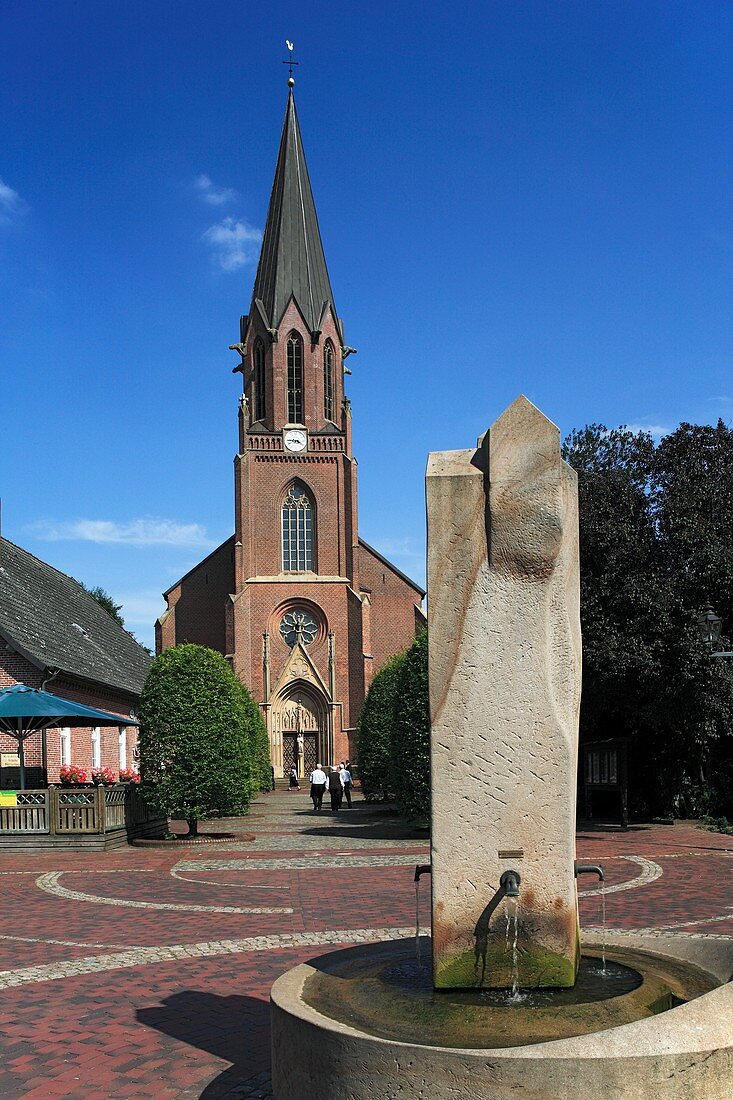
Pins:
<point x="411" y="732"/>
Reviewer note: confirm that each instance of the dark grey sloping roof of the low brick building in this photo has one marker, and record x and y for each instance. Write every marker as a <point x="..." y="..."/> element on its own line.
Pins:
<point x="56" y="624"/>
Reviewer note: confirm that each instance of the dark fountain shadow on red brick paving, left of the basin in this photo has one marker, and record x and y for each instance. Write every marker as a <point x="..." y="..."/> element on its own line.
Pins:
<point x="234" y="1029"/>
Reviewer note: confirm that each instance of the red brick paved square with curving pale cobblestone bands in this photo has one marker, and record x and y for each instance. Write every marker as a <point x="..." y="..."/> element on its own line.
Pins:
<point x="146" y="973"/>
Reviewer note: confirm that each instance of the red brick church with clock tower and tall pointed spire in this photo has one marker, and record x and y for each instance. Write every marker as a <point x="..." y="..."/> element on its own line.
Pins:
<point x="303" y="608"/>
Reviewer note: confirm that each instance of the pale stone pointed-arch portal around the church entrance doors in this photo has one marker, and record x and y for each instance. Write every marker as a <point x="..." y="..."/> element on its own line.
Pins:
<point x="300" y="729"/>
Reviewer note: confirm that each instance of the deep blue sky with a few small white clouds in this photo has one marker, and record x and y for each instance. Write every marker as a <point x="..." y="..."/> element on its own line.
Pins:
<point x="513" y="197"/>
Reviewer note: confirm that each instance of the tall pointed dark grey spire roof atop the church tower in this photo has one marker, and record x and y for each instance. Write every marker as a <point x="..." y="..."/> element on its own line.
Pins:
<point x="292" y="262"/>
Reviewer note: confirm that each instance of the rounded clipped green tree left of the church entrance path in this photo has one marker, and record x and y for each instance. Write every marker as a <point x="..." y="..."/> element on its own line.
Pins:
<point x="194" y="739"/>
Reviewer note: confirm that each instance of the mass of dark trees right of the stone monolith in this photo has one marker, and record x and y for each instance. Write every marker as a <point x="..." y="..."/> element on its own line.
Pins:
<point x="657" y="543"/>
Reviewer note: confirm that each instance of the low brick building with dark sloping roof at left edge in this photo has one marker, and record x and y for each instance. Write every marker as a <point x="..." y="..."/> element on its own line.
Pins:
<point x="53" y="633"/>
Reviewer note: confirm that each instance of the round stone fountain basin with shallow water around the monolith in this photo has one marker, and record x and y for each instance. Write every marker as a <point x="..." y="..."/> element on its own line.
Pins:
<point x="347" y="1025"/>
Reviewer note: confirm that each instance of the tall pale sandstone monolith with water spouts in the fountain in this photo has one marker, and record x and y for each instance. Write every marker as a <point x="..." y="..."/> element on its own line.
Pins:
<point x="505" y="670"/>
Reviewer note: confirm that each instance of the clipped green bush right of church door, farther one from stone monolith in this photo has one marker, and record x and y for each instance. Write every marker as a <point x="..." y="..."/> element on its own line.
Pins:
<point x="375" y="733"/>
